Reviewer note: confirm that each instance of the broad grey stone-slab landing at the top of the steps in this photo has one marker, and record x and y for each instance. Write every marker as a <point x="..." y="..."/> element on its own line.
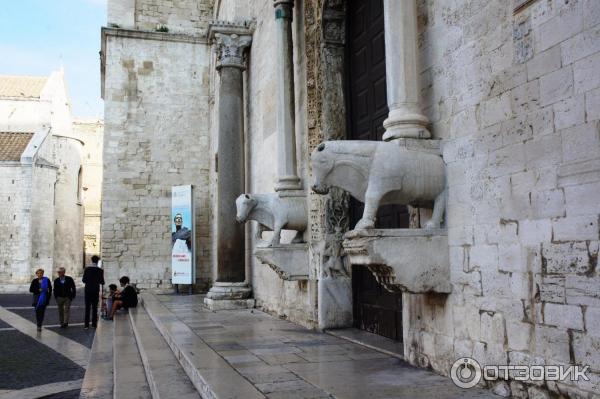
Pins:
<point x="279" y="359"/>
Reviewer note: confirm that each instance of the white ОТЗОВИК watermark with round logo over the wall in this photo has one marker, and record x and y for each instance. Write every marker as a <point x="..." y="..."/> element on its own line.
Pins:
<point x="467" y="372"/>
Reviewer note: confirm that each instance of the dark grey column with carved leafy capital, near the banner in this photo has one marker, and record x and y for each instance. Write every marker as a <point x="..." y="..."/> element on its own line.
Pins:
<point x="230" y="285"/>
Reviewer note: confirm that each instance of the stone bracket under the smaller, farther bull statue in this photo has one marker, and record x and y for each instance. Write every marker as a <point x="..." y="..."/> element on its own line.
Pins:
<point x="290" y="261"/>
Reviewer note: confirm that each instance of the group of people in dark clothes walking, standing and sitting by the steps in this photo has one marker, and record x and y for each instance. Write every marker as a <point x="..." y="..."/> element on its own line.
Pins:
<point x="65" y="292"/>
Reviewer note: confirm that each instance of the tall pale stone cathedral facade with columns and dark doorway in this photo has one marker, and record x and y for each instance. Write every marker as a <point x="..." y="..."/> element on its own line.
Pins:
<point x="233" y="97"/>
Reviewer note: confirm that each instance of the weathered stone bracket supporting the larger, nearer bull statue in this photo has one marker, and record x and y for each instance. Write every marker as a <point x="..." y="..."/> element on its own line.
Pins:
<point x="411" y="260"/>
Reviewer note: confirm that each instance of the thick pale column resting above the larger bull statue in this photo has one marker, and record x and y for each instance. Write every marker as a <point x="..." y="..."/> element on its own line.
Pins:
<point x="405" y="118"/>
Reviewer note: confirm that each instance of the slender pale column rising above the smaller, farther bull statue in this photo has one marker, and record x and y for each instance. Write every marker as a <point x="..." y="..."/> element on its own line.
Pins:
<point x="286" y="140"/>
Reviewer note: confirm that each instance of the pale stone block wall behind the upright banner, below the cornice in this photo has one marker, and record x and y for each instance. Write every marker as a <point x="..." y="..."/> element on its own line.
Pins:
<point x="156" y="136"/>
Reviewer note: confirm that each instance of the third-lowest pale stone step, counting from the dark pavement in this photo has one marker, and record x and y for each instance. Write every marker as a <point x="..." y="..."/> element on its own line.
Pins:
<point x="166" y="378"/>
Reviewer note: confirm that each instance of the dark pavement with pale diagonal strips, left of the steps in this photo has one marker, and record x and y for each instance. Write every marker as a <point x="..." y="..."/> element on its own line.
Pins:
<point x="32" y="363"/>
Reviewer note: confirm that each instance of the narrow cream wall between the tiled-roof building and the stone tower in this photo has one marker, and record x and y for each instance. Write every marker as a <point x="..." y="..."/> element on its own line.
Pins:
<point x="91" y="132"/>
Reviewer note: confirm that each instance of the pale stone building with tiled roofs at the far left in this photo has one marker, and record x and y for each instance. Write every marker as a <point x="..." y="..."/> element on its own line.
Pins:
<point x="41" y="212"/>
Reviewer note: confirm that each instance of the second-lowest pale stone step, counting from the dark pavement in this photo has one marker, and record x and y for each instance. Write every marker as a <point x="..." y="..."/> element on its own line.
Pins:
<point x="129" y="374"/>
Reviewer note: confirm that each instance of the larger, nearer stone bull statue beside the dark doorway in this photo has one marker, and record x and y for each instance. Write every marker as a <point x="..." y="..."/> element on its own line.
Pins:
<point x="380" y="173"/>
